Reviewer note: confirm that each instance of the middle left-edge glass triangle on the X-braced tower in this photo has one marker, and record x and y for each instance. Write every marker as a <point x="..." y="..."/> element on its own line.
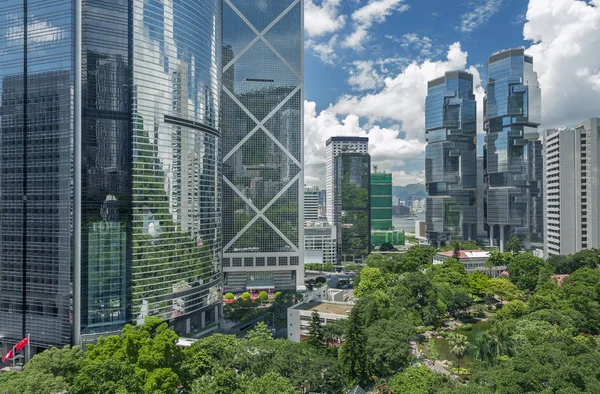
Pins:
<point x="236" y="123"/>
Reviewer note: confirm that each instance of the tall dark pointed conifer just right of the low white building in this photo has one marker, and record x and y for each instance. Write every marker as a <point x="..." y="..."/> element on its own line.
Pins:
<point x="352" y="351"/>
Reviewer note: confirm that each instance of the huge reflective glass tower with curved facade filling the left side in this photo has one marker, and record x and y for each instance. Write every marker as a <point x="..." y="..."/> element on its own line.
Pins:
<point x="110" y="177"/>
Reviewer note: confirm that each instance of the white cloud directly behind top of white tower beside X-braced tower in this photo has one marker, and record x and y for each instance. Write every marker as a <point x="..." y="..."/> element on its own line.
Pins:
<point x="386" y="149"/>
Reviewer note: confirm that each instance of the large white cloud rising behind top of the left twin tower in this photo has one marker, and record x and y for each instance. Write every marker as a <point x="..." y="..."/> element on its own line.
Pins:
<point x="402" y="98"/>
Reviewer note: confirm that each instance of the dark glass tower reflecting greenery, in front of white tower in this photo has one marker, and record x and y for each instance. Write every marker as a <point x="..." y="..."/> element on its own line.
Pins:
<point x="352" y="213"/>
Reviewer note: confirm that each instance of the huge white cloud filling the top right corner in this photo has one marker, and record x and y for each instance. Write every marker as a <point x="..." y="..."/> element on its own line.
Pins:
<point x="565" y="52"/>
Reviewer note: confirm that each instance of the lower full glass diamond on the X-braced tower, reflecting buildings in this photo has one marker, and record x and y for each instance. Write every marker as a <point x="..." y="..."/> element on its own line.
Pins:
<point x="260" y="169"/>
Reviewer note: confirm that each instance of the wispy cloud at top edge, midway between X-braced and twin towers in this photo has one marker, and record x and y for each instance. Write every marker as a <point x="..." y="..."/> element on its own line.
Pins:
<point x="375" y="11"/>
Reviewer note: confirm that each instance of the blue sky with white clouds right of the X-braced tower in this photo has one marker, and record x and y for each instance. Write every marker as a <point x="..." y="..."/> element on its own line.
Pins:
<point x="367" y="63"/>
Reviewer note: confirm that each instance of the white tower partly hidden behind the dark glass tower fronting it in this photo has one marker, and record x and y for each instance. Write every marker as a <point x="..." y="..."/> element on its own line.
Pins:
<point x="334" y="146"/>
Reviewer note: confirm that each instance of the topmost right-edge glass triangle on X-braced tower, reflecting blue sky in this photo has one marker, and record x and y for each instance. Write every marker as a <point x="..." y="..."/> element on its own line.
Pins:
<point x="286" y="37"/>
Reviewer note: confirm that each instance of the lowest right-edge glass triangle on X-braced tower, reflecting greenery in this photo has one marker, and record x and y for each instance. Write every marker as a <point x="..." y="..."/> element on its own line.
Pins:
<point x="284" y="213"/>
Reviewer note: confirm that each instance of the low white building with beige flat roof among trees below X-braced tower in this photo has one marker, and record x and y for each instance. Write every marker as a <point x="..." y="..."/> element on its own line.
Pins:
<point x="299" y="316"/>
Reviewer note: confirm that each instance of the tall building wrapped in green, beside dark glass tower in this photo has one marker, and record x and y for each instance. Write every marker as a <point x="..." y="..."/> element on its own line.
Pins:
<point x="381" y="201"/>
